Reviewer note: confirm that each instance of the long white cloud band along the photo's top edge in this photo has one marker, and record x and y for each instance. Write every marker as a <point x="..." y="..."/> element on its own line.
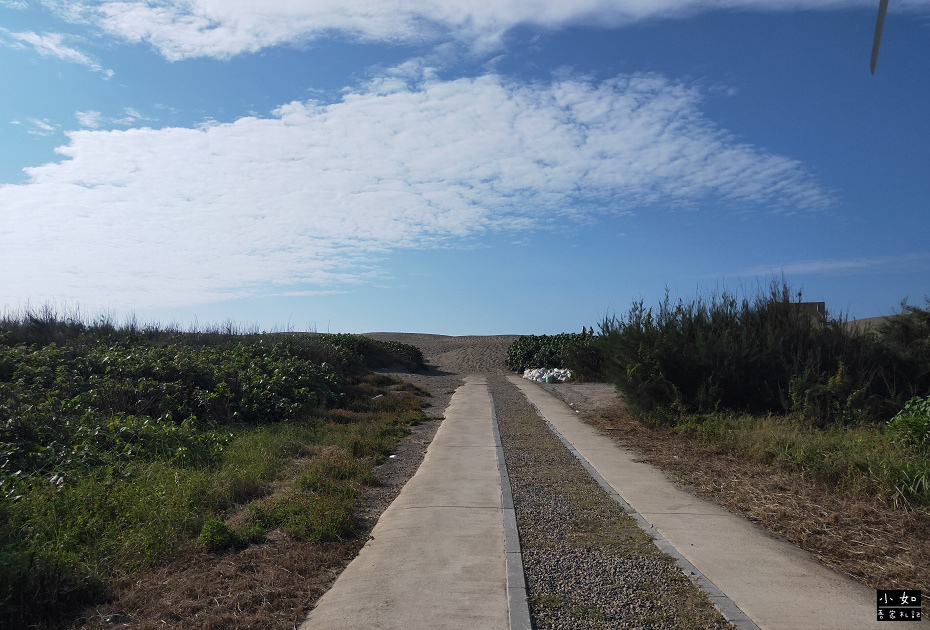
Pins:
<point x="223" y="28"/>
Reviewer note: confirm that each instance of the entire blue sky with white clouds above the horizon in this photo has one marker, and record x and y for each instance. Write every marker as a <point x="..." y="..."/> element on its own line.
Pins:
<point x="443" y="167"/>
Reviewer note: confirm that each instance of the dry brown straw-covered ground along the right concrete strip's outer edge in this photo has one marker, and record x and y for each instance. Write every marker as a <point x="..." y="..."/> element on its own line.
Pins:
<point x="862" y="536"/>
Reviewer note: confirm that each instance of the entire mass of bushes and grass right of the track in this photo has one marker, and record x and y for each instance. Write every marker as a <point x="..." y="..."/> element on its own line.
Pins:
<point x="763" y="378"/>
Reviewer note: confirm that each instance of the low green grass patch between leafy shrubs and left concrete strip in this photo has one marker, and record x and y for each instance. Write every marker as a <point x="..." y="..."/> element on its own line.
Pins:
<point x="62" y="537"/>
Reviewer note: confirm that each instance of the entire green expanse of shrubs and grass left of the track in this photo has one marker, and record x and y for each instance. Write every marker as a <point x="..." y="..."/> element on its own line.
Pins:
<point x="123" y="446"/>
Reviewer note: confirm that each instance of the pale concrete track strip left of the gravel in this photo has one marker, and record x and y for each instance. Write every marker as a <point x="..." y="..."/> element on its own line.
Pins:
<point x="437" y="557"/>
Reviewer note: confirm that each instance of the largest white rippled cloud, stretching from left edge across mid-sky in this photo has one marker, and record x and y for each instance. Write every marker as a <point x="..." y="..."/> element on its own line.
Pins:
<point x="313" y="197"/>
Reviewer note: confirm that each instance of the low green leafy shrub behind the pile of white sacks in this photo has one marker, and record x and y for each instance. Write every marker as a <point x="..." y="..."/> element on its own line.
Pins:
<point x="578" y="352"/>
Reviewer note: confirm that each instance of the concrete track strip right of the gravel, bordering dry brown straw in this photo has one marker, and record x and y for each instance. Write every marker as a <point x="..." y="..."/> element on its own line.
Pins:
<point x="776" y="584"/>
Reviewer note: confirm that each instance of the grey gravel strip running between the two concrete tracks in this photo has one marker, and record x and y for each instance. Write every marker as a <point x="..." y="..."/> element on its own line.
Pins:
<point x="587" y="563"/>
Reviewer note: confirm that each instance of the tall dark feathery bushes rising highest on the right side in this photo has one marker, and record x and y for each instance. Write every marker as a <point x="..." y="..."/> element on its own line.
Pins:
<point x="762" y="355"/>
